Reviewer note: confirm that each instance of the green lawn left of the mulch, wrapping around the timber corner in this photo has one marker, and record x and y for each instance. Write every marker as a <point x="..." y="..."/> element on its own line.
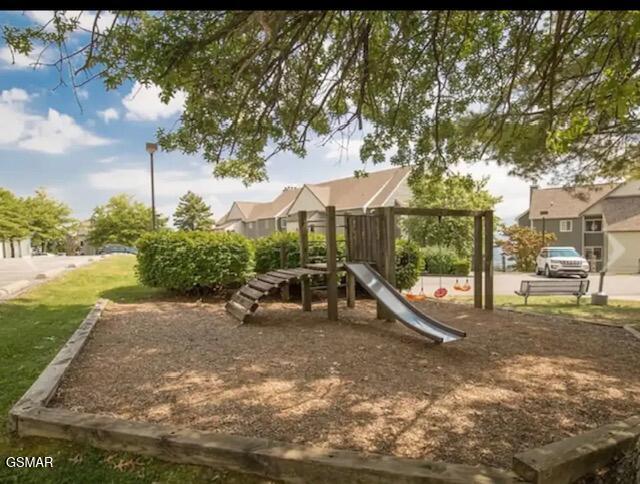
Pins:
<point x="33" y="327"/>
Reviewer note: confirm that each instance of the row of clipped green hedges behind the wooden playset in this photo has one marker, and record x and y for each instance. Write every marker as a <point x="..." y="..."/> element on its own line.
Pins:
<point x="188" y="261"/>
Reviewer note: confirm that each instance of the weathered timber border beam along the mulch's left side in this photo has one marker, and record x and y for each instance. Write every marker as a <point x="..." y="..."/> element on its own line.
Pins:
<point x="43" y="389"/>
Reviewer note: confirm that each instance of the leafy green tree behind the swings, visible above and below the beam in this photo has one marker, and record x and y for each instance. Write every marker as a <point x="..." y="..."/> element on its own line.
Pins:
<point x="456" y="191"/>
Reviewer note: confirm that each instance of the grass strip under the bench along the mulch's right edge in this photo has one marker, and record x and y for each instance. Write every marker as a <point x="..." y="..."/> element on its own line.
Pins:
<point x="617" y="312"/>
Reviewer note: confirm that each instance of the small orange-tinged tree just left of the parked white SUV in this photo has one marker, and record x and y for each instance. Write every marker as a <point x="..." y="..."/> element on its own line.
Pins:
<point x="524" y="244"/>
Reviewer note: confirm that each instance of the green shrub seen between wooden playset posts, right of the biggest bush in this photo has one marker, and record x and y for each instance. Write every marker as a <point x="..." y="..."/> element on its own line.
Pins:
<point x="267" y="250"/>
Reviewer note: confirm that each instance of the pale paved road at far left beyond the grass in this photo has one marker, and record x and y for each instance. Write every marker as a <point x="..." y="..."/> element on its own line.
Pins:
<point x="19" y="273"/>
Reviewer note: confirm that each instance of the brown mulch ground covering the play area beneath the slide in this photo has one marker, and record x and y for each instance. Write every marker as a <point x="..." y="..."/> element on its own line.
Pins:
<point x="515" y="382"/>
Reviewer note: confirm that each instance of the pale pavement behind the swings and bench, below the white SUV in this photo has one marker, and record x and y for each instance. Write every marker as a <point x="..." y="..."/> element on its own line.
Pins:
<point x="617" y="286"/>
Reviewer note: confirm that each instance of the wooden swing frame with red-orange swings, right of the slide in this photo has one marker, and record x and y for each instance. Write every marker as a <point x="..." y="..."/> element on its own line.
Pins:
<point x="482" y="263"/>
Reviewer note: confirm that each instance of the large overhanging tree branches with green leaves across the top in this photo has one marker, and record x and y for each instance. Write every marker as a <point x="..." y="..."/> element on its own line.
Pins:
<point x="537" y="90"/>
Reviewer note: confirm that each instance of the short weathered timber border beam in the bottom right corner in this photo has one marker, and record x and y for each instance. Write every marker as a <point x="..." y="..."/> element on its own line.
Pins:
<point x="567" y="460"/>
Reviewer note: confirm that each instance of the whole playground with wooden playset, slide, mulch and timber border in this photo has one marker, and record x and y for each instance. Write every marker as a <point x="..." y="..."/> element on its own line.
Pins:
<point x="463" y="384"/>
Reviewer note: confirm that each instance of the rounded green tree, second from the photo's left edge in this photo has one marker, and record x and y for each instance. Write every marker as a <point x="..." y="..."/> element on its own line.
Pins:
<point x="48" y="219"/>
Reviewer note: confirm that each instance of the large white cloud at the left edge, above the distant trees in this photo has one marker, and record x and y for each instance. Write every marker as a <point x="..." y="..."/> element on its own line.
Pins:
<point x="54" y="133"/>
